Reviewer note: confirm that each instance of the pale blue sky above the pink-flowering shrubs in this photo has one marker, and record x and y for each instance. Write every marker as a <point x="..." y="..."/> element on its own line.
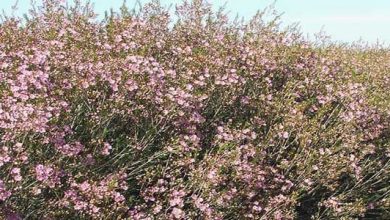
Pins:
<point x="343" y="20"/>
